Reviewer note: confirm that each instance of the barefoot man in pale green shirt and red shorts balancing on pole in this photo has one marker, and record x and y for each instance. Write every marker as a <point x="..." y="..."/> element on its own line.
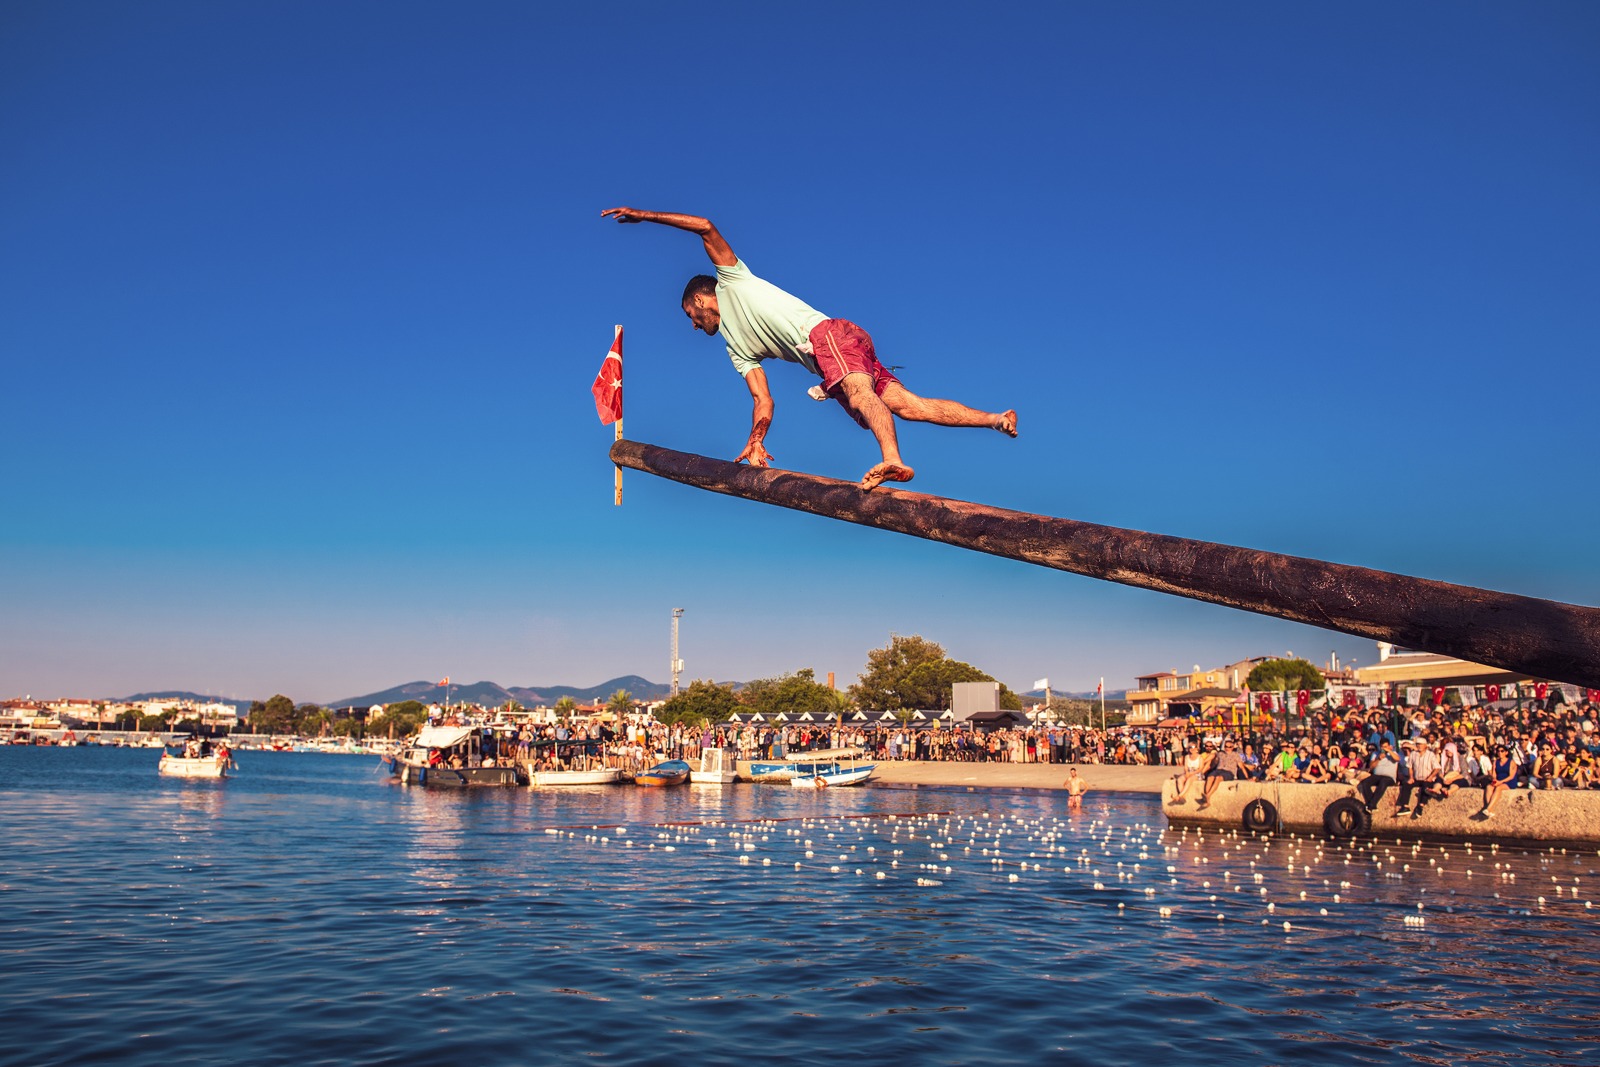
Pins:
<point x="762" y="322"/>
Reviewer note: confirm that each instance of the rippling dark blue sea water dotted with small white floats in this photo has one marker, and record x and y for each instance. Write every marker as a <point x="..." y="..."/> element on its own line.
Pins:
<point x="310" y="911"/>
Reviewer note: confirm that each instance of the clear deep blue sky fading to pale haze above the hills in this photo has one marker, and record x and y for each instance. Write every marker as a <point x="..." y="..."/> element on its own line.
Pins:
<point x="300" y="305"/>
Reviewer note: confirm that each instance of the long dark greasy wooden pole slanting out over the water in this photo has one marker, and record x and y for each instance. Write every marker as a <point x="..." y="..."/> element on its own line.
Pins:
<point x="1543" y="639"/>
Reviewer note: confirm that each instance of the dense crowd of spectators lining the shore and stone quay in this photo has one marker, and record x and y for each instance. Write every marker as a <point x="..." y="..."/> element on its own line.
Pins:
<point x="1422" y="753"/>
